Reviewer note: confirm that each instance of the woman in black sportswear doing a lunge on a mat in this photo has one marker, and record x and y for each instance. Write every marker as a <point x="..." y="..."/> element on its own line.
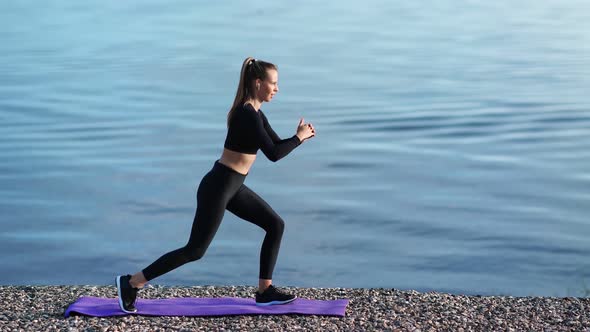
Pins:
<point x="223" y="188"/>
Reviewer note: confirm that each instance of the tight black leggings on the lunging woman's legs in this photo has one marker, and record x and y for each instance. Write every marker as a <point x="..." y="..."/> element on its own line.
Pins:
<point x="223" y="188"/>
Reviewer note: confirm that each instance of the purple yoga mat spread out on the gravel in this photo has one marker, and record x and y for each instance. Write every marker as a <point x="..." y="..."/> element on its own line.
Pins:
<point x="191" y="306"/>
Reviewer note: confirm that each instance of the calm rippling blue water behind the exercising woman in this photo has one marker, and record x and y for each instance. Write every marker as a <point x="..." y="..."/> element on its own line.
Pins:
<point x="452" y="149"/>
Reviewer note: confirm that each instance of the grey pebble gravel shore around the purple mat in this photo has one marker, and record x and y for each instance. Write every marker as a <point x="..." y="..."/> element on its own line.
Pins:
<point x="41" y="308"/>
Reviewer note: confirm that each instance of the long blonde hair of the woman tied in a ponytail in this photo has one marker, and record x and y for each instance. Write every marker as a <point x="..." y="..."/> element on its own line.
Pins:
<point x="252" y="69"/>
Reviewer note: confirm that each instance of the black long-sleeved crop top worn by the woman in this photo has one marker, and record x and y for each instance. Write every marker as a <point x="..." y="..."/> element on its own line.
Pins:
<point x="249" y="131"/>
